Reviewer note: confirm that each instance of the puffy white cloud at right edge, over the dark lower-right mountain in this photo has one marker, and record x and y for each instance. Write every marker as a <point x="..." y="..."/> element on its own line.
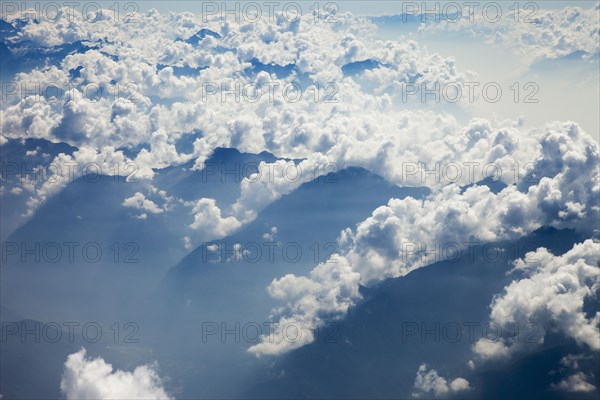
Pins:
<point x="549" y="294"/>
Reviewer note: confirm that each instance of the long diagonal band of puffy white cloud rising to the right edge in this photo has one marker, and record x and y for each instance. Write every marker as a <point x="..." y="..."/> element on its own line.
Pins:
<point x="394" y="240"/>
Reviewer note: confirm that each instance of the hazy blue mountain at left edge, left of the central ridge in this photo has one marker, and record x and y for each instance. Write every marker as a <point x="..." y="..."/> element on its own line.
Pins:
<point x="114" y="254"/>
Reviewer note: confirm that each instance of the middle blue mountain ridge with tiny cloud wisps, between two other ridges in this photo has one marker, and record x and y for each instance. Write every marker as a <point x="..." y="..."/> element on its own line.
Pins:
<point x="301" y="227"/>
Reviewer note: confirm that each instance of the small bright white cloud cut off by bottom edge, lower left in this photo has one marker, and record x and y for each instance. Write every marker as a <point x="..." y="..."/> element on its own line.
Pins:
<point x="85" y="378"/>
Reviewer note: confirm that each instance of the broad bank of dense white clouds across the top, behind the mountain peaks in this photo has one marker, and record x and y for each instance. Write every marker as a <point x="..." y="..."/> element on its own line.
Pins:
<point x="157" y="107"/>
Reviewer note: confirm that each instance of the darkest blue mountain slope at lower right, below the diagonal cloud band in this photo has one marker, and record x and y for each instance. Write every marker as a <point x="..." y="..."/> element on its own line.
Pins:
<point x="376" y="350"/>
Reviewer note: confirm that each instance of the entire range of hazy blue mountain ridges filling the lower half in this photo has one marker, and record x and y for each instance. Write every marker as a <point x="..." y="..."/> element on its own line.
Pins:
<point x="172" y="292"/>
